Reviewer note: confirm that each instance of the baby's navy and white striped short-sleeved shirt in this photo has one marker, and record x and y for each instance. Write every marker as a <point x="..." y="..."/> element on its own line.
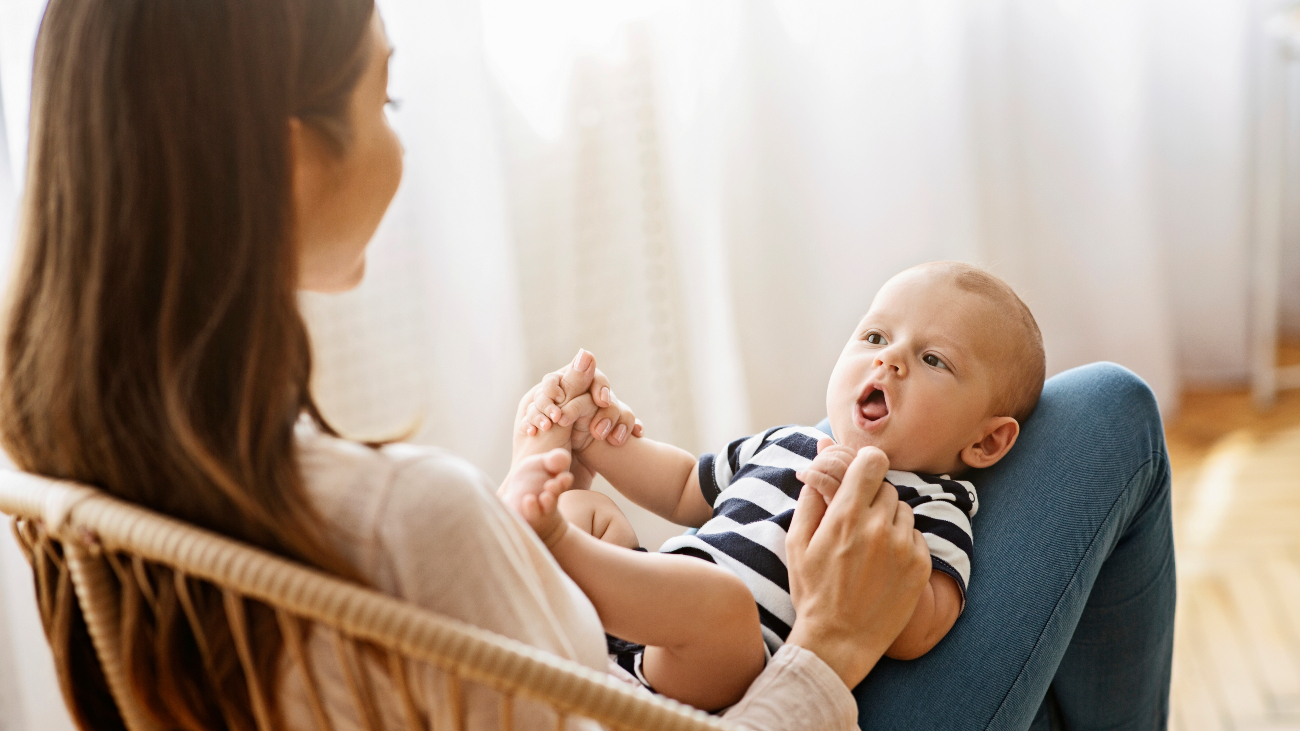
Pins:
<point x="753" y="491"/>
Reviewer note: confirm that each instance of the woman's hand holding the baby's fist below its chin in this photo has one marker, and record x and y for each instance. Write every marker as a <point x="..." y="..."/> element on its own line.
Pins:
<point x="857" y="568"/>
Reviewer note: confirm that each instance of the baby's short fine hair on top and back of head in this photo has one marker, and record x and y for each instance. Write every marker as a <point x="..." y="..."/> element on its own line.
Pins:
<point x="1024" y="357"/>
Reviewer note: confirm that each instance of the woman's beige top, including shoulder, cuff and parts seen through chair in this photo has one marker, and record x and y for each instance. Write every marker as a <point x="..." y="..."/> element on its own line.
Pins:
<point x="426" y="526"/>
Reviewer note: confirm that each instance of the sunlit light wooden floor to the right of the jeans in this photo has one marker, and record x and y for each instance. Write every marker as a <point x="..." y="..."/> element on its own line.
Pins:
<point x="1237" y="530"/>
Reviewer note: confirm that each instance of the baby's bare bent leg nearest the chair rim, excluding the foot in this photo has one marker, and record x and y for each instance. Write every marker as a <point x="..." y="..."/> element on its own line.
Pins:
<point x="699" y="621"/>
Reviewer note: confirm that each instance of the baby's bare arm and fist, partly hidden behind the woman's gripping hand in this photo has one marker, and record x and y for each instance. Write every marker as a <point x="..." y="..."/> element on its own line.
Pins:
<point x="941" y="602"/>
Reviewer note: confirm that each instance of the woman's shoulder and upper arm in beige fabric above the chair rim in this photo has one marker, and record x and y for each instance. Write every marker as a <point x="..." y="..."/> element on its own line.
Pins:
<point x="426" y="526"/>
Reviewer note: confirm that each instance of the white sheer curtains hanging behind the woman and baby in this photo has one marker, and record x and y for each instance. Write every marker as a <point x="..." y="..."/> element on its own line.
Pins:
<point x="708" y="194"/>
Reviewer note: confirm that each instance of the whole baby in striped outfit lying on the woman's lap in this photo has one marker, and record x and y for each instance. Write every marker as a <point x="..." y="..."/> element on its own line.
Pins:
<point x="939" y="375"/>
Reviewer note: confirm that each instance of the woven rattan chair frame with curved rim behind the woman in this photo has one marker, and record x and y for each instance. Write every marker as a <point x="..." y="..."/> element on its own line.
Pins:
<point x="94" y="526"/>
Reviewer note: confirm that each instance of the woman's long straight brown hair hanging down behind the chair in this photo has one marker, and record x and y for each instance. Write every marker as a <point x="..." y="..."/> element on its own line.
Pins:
<point x="155" y="347"/>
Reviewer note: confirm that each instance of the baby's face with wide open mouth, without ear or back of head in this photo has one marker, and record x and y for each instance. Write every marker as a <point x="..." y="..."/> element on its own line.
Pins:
<point x="916" y="379"/>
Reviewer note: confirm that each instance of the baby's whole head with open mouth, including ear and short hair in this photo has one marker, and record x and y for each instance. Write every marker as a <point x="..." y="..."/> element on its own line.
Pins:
<point x="942" y="371"/>
